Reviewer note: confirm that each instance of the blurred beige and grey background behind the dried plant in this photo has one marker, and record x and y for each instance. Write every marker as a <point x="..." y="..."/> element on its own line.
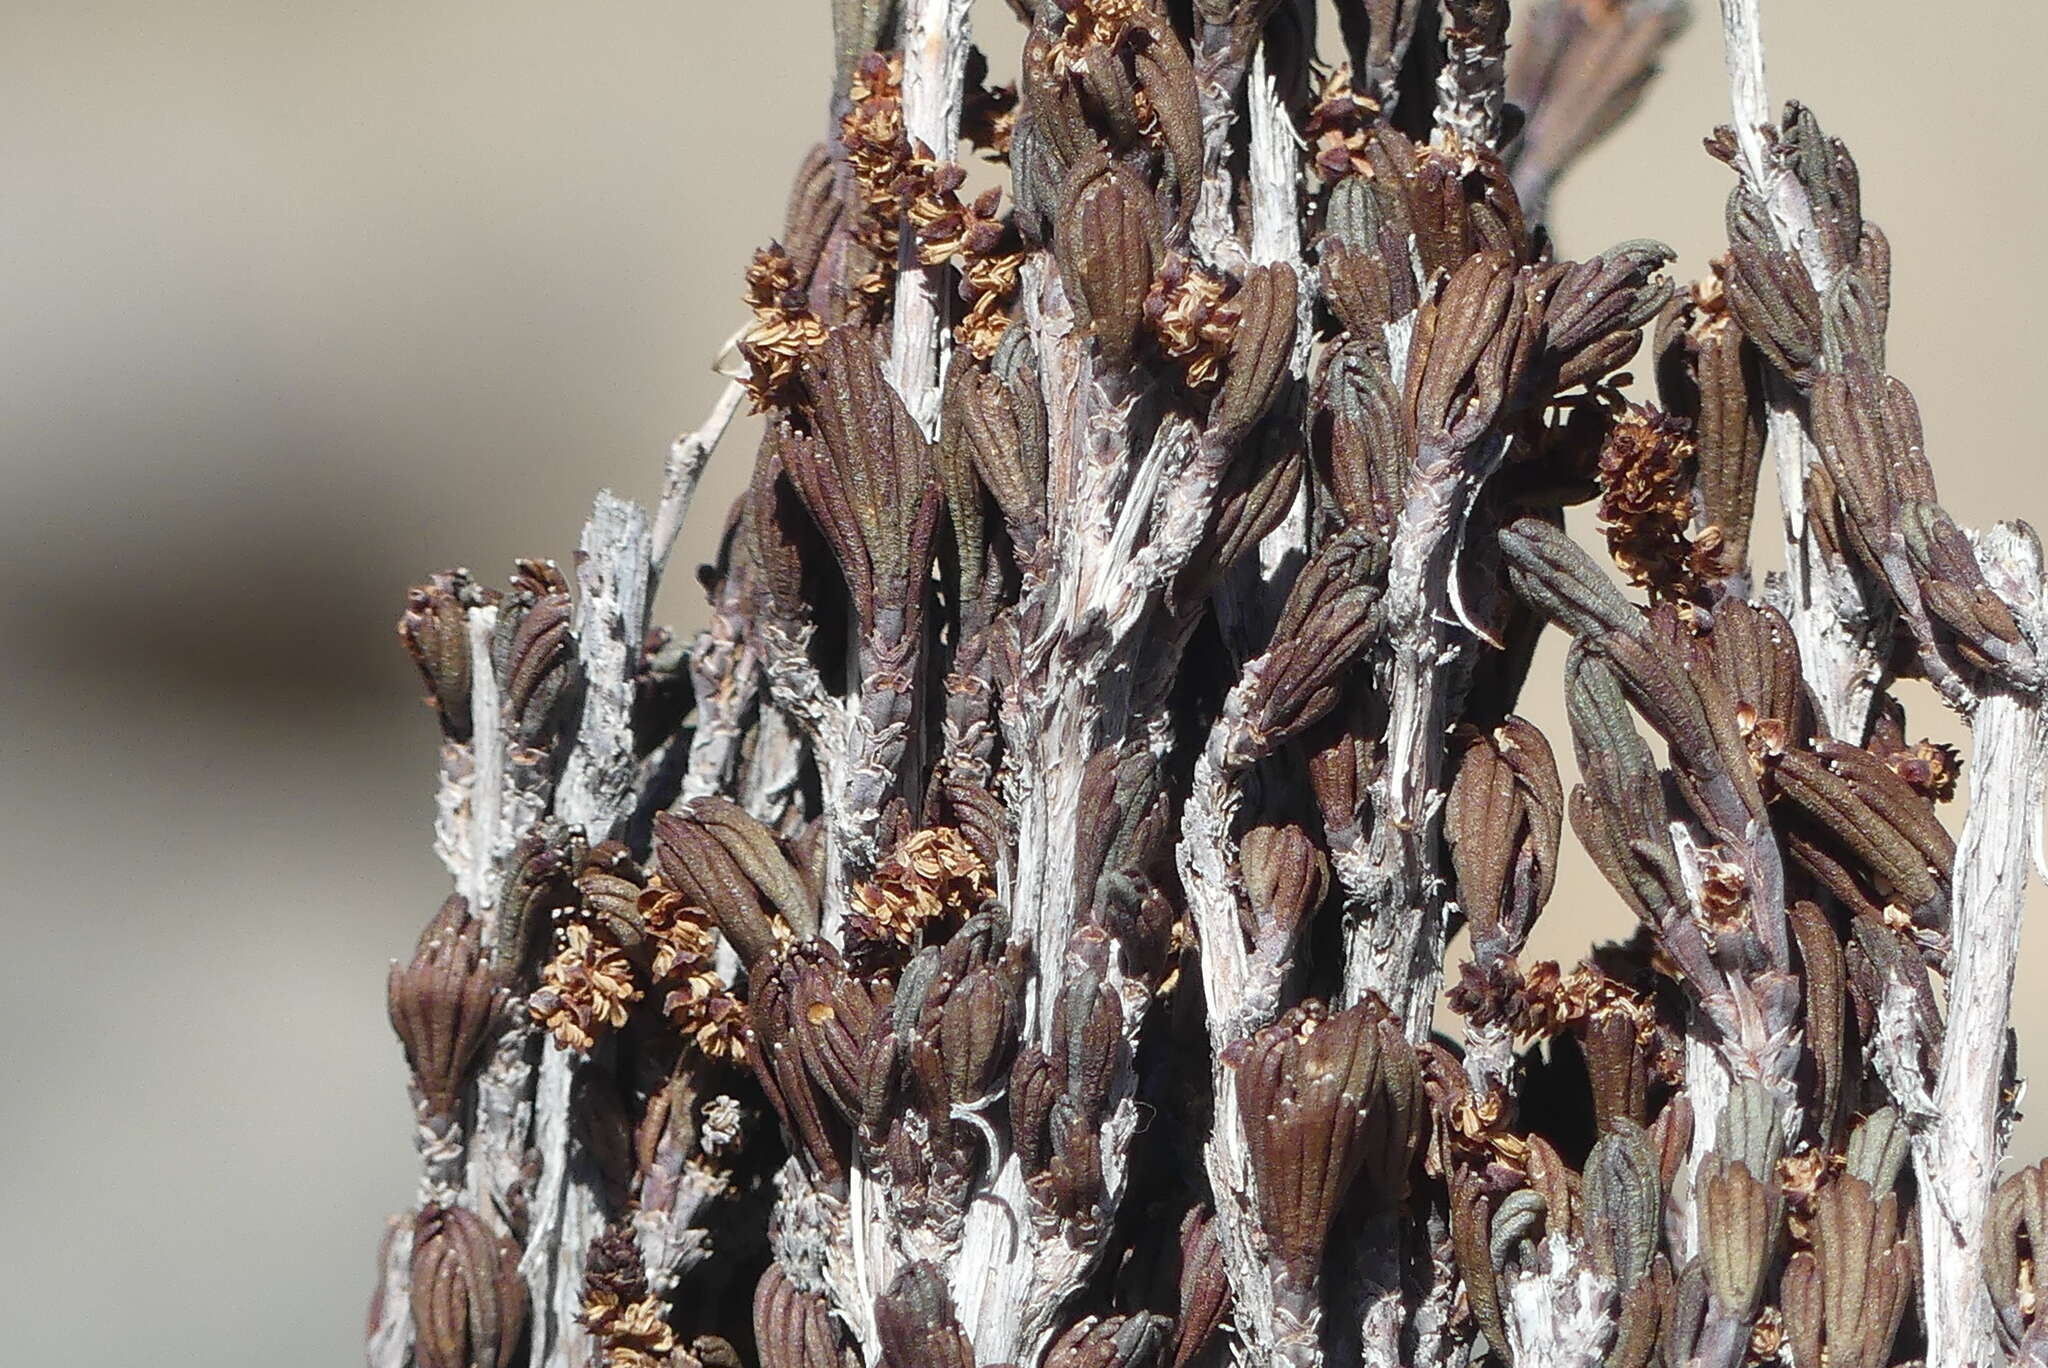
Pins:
<point x="300" y="302"/>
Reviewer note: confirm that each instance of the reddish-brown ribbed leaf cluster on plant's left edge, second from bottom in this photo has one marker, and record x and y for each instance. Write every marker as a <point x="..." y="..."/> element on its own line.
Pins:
<point x="443" y="1007"/>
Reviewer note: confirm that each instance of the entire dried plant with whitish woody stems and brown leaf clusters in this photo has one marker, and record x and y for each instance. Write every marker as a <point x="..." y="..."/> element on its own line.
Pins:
<point x="1015" y="931"/>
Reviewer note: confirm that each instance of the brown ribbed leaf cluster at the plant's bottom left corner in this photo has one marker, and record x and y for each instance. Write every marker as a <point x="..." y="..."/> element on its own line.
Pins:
<point x="468" y="1299"/>
